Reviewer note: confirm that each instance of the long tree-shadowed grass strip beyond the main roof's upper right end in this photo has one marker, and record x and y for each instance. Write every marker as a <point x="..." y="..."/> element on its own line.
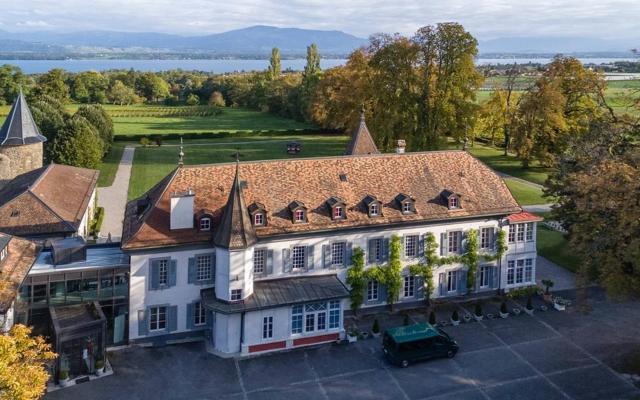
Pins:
<point x="509" y="164"/>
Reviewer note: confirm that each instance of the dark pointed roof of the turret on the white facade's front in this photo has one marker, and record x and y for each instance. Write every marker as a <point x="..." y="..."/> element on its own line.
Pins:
<point x="235" y="230"/>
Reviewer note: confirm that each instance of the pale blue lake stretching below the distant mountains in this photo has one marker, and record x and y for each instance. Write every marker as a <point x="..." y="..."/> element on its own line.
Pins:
<point x="221" y="66"/>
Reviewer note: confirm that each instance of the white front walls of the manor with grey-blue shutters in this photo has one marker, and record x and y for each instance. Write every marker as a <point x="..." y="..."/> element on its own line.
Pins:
<point x="234" y="270"/>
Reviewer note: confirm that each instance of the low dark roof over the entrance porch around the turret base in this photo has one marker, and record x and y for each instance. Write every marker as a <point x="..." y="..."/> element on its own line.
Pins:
<point x="280" y="292"/>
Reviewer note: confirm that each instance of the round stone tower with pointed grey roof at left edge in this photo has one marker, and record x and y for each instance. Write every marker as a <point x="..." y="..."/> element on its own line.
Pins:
<point x="20" y="142"/>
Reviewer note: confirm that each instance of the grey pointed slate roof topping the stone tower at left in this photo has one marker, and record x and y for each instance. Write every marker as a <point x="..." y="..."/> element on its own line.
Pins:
<point x="19" y="128"/>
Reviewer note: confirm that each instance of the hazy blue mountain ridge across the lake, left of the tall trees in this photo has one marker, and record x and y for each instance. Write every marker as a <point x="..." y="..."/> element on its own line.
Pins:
<point x="254" y="40"/>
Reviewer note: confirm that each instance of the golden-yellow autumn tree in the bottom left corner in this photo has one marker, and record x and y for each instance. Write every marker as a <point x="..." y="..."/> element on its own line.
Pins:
<point x="23" y="375"/>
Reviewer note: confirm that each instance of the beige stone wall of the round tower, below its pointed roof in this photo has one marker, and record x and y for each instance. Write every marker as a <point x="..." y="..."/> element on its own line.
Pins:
<point x="16" y="160"/>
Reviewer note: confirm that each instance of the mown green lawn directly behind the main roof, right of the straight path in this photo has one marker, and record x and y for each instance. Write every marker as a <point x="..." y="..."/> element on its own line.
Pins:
<point x="151" y="164"/>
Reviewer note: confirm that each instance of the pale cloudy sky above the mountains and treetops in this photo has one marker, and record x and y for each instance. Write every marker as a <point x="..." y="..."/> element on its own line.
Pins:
<point x="486" y="19"/>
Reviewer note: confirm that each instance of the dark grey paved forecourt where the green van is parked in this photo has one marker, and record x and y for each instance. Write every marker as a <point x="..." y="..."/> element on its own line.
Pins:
<point x="552" y="355"/>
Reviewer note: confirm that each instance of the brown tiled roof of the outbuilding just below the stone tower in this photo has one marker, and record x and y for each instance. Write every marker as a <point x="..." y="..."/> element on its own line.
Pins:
<point x="50" y="199"/>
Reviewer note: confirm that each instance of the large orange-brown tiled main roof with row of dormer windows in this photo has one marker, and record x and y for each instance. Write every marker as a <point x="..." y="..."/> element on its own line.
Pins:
<point x="277" y="183"/>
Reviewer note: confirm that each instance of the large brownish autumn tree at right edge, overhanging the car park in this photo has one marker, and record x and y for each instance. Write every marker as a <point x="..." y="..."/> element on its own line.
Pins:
<point x="603" y="225"/>
